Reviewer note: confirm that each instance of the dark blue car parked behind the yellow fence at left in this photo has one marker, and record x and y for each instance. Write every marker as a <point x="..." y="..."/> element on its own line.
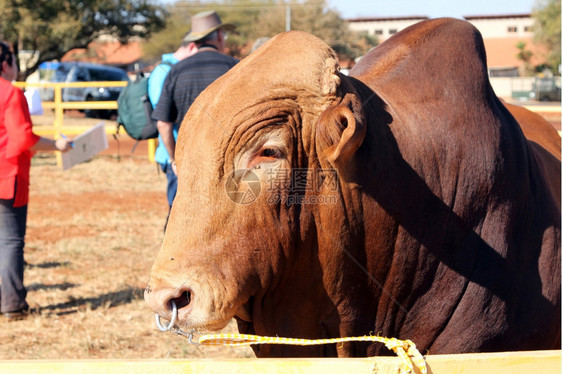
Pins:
<point x="85" y="72"/>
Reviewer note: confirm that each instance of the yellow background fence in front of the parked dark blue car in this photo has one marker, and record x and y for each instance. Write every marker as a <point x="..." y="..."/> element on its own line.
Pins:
<point x="59" y="106"/>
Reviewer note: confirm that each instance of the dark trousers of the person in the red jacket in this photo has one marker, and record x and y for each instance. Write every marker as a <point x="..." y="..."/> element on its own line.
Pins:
<point x="12" y="233"/>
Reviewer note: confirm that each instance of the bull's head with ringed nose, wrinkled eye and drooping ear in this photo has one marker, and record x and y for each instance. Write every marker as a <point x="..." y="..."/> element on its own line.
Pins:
<point x="259" y="153"/>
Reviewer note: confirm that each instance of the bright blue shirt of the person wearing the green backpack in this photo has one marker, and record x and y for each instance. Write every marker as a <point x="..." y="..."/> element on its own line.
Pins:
<point x="155" y="84"/>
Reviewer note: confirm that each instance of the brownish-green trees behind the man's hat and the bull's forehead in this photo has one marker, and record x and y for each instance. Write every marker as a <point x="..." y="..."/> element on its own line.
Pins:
<point x="262" y="18"/>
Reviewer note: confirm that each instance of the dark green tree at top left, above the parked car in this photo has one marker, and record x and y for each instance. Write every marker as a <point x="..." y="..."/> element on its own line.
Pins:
<point x="50" y="28"/>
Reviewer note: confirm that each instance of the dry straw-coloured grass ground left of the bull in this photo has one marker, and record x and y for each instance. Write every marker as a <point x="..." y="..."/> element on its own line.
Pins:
<point x="93" y="232"/>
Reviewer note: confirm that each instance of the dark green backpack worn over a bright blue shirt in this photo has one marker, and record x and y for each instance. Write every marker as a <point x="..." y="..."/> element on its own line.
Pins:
<point x="134" y="110"/>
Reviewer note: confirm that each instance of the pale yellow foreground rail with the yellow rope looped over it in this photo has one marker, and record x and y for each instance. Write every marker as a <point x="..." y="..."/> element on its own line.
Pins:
<point x="543" y="362"/>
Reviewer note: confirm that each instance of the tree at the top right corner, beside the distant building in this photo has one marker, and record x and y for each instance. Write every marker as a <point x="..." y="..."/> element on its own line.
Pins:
<point x="547" y="30"/>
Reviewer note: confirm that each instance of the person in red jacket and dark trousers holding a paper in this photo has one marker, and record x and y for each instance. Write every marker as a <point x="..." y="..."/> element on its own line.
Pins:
<point x="17" y="146"/>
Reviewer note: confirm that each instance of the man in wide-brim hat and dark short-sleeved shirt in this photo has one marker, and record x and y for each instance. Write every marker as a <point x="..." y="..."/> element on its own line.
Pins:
<point x="189" y="77"/>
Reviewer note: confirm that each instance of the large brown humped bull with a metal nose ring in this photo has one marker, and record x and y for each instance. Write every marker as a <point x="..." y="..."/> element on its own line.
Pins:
<point x="403" y="200"/>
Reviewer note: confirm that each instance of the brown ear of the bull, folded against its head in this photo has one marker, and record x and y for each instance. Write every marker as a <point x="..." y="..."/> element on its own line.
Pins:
<point x="339" y="134"/>
